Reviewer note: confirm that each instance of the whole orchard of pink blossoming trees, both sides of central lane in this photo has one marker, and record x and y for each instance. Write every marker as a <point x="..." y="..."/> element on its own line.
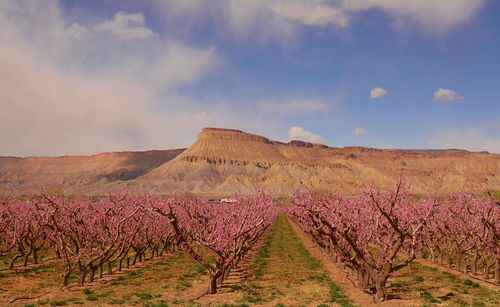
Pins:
<point x="371" y="236"/>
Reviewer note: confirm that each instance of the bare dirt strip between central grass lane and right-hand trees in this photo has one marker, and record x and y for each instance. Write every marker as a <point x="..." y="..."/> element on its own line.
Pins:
<point x="357" y="296"/>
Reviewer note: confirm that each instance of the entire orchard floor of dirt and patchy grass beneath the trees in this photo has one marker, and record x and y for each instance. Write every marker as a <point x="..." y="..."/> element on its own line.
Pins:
<point x="284" y="268"/>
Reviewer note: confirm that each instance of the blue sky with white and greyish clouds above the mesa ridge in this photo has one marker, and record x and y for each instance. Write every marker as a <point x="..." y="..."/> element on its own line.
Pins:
<point x="83" y="77"/>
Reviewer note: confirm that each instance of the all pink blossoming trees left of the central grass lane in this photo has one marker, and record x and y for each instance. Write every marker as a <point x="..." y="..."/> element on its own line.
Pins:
<point x="87" y="235"/>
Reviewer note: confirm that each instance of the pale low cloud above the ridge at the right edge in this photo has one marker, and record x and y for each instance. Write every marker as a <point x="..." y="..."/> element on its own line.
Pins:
<point x="473" y="139"/>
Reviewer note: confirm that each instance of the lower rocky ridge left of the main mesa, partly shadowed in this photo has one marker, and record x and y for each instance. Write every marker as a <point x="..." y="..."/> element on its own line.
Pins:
<point x="78" y="173"/>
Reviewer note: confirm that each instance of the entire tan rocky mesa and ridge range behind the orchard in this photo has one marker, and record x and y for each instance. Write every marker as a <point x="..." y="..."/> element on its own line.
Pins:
<point x="224" y="161"/>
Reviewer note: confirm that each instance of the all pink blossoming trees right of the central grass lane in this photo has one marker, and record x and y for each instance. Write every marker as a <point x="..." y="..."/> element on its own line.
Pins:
<point x="376" y="234"/>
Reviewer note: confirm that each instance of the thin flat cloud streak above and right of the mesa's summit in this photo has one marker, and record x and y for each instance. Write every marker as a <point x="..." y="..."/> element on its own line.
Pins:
<point x="290" y="107"/>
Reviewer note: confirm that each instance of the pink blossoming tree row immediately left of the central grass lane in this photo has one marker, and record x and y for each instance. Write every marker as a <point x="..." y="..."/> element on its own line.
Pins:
<point x="227" y="230"/>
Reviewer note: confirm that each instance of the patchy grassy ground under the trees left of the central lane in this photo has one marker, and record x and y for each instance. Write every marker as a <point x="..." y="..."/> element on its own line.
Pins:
<point x="152" y="285"/>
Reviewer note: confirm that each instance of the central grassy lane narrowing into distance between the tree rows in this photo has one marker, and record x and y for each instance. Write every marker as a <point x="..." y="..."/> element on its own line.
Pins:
<point x="285" y="273"/>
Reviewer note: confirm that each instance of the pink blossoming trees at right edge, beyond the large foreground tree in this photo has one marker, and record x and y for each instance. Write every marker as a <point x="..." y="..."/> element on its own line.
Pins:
<point x="467" y="228"/>
